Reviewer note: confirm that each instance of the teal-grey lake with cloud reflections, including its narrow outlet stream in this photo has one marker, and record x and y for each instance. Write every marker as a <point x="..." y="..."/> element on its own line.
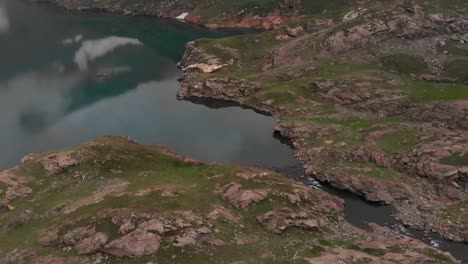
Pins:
<point x="68" y="77"/>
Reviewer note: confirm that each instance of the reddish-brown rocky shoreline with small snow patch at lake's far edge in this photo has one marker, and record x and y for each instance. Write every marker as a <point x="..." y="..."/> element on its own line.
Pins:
<point x="191" y="11"/>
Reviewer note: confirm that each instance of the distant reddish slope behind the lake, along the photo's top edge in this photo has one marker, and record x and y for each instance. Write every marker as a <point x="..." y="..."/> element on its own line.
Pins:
<point x="213" y="13"/>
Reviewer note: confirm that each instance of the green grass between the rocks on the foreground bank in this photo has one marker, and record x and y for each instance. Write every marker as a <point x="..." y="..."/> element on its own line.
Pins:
<point x="110" y="161"/>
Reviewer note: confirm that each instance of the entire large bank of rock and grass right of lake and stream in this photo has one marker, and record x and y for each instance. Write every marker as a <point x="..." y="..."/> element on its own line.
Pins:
<point x="374" y="102"/>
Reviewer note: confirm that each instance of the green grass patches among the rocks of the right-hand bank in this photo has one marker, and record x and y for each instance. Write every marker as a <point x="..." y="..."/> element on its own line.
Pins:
<point x="289" y="88"/>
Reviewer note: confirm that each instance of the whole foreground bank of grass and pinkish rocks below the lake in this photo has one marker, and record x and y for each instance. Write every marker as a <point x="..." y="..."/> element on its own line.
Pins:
<point x="114" y="201"/>
